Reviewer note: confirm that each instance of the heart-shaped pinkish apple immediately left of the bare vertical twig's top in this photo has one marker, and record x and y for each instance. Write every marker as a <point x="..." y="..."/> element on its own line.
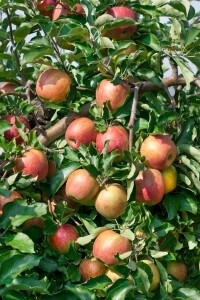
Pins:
<point x="116" y="94"/>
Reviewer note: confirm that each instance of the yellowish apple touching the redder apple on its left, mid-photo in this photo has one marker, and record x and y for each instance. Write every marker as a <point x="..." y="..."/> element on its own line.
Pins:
<point x="111" y="201"/>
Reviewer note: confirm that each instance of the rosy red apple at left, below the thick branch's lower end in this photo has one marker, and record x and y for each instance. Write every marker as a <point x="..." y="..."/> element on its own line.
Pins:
<point x="33" y="162"/>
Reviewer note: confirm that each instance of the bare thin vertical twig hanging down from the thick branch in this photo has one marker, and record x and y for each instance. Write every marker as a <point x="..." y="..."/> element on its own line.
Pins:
<point x="133" y="114"/>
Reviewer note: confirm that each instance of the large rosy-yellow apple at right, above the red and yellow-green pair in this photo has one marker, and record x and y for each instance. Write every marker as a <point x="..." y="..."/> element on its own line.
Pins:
<point x="159" y="151"/>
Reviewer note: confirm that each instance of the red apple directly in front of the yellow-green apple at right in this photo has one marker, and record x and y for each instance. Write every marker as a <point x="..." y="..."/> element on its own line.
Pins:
<point x="149" y="187"/>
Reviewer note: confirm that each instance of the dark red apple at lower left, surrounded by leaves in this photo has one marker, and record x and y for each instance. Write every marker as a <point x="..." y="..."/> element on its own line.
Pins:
<point x="61" y="239"/>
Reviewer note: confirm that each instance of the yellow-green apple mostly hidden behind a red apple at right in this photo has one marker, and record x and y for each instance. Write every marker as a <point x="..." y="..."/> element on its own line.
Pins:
<point x="170" y="179"/>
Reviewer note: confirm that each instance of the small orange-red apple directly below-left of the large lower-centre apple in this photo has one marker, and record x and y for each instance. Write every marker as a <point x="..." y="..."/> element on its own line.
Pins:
<point x="90" y="268"/>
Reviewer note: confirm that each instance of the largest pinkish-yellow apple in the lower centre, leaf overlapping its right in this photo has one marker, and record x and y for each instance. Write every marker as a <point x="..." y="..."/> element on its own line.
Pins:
<point x="109" y="243"/>
